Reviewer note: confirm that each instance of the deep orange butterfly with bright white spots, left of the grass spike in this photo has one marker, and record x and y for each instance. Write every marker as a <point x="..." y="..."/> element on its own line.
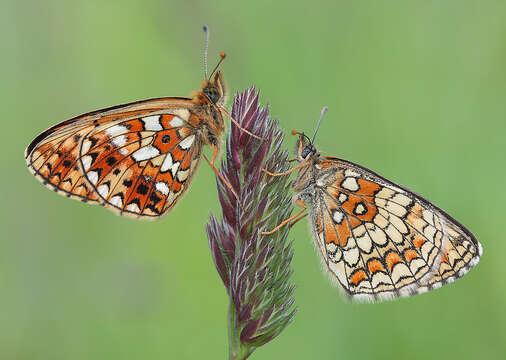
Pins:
<point x="137" y="159"/>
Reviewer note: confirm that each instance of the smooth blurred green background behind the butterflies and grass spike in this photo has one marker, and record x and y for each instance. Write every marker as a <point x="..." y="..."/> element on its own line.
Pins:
<point x="415" y="89"/>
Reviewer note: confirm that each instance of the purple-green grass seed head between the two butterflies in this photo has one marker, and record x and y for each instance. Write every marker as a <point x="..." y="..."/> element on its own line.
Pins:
<point x="254" y="268"/>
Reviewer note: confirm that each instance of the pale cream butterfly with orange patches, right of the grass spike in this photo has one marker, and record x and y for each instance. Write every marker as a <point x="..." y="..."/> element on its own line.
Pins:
<point x="378" y="240"/>
